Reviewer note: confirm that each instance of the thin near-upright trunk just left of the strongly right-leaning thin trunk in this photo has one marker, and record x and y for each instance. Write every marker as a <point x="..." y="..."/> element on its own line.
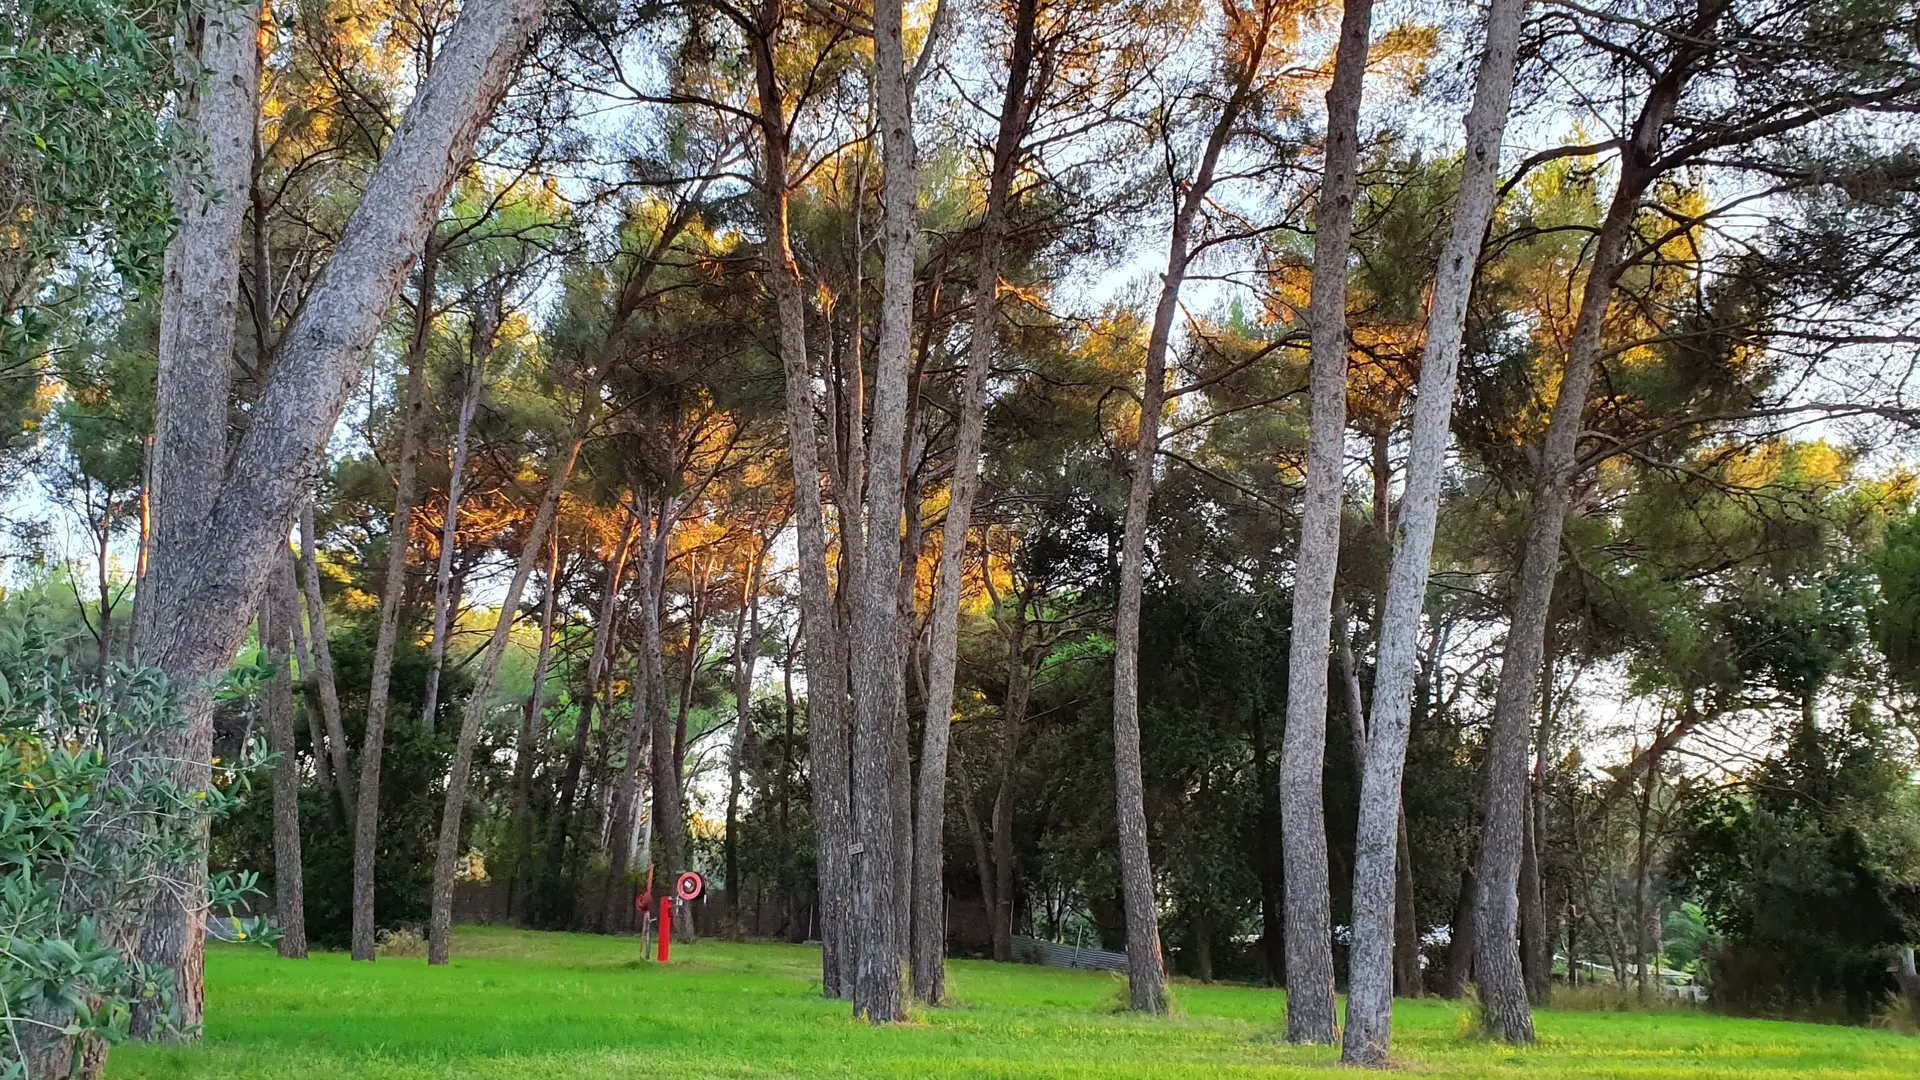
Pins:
<point x="373" y="743"/>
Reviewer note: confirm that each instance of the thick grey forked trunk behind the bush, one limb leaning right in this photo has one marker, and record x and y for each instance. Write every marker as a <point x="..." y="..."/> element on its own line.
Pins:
<point x="218" y="535"/>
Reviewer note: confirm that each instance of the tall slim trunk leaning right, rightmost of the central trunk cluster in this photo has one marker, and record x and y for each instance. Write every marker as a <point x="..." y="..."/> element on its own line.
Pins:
<point x="928" y="891"/>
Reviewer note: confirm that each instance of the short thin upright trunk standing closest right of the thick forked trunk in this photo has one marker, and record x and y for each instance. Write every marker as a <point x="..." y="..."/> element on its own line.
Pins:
<point x="277" y="704"/>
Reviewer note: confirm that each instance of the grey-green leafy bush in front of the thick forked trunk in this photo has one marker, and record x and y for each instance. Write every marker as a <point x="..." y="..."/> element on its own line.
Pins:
<point x="91" y="808"/>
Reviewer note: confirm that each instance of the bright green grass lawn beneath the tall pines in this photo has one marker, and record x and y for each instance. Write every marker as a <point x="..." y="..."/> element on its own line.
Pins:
<point x="535" y="1006"/>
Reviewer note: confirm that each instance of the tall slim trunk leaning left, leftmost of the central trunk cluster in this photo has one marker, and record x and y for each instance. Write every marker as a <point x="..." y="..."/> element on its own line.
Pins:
<point x="825" y="662"/>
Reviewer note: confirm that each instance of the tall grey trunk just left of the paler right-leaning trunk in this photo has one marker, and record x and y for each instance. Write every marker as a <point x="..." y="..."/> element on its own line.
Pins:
<point x="1310" y="1006"/>
